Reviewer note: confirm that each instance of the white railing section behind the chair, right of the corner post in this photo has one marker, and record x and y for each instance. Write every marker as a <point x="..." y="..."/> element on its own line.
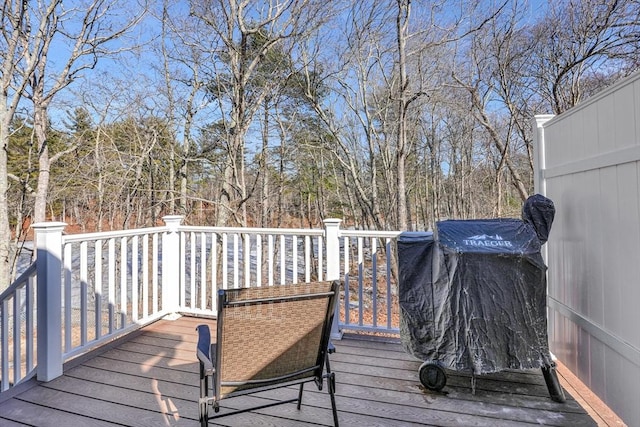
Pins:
<point x="253" y="257"/>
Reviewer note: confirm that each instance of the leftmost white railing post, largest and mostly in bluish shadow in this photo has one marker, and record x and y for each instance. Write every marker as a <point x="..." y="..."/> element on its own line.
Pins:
<point x="48" y="236"/>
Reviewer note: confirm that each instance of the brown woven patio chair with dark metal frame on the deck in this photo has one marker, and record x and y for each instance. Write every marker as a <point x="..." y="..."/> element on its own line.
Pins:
<point x="267" y="337"/>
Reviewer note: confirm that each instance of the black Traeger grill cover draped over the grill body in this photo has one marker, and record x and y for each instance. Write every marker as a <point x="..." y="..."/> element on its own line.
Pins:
<point x="473" y="296"/>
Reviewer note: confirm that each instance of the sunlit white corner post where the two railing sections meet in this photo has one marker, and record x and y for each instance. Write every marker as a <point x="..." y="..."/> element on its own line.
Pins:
<point x="171" y="258"/>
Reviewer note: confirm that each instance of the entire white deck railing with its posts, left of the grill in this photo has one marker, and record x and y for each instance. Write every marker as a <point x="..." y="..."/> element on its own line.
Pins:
<point x="87" y="289"/>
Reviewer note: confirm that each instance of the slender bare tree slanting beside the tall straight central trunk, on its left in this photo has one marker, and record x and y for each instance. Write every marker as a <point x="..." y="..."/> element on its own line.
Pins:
<point x="356" y="140"/>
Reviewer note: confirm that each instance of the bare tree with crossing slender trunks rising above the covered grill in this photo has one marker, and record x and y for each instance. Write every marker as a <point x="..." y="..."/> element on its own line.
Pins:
<point x="492" y="76"/>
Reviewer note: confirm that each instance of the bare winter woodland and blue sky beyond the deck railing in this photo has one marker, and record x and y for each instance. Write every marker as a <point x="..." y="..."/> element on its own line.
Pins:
<point x="389" y="114"/>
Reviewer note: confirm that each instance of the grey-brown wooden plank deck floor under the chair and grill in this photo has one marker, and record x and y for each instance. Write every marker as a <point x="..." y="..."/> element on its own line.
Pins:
<point x="151" y="379"/>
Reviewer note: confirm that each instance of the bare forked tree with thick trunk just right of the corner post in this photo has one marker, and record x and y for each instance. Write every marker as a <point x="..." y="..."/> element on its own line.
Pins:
<point x="248" y="32"/>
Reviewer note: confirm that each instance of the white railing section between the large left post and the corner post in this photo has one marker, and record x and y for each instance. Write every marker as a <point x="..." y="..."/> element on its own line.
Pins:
<point x="111" y="284"/>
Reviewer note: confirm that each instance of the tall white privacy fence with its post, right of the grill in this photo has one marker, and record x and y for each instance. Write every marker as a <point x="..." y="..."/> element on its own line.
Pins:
<point x="589" y="165"/>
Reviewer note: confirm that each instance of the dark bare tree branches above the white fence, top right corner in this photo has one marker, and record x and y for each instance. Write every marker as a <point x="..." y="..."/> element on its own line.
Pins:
<point x="576" y="39"/>
